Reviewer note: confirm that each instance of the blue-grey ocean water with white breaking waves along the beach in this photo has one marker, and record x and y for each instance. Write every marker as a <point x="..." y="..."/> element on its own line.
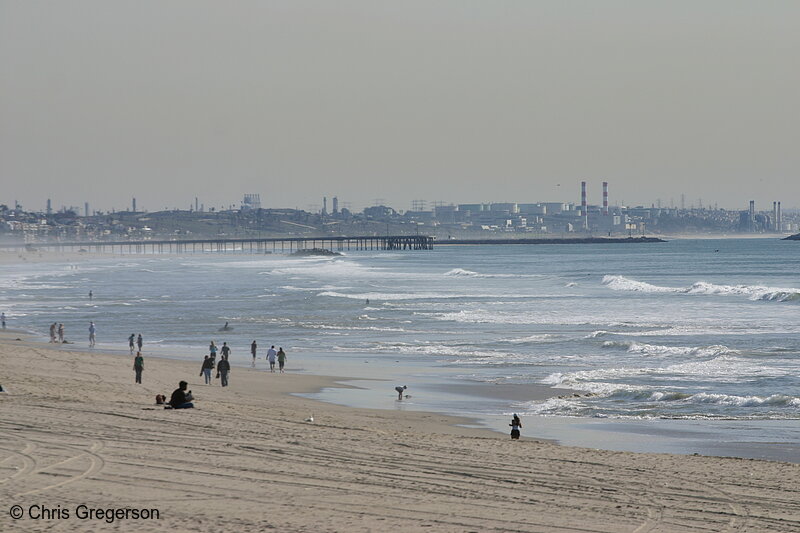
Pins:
<point x="700" y="331"/>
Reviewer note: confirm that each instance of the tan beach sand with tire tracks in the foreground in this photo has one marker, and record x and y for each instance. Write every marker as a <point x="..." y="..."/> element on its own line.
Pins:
<point x="76" y="430"/>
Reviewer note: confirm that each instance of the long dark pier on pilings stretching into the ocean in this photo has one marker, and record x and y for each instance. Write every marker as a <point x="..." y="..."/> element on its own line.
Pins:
<point x="245" y="245"/>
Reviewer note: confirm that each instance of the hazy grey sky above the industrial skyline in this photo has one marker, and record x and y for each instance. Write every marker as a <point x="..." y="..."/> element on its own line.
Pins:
<point x="459" y="101"/>
